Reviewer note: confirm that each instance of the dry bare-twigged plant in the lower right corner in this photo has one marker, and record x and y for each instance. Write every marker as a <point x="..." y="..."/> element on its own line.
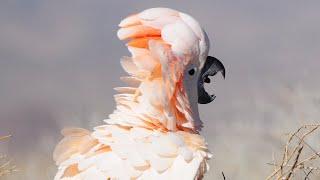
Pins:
<point x="295" y="158"/>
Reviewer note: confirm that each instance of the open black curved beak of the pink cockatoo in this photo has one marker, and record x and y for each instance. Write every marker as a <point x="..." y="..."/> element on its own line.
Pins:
<point x="210" y="68"/>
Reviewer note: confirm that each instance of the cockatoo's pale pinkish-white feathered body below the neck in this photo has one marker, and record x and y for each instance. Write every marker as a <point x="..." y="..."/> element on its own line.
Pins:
<point x="116" y="152"/>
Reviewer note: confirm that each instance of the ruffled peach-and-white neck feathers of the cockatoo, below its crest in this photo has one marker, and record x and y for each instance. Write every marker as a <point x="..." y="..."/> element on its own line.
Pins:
<point x="155" y="97"/>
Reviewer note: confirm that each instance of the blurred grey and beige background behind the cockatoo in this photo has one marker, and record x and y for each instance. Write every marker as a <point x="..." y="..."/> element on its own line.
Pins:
<point x="59" y="62"/>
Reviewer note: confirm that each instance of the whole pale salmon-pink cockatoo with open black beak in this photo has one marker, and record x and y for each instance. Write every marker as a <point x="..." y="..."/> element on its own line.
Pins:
<point x="154" y="131"/>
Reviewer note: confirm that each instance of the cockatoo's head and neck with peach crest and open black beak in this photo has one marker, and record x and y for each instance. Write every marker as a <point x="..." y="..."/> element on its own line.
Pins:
<point x="168" y="67"/>
